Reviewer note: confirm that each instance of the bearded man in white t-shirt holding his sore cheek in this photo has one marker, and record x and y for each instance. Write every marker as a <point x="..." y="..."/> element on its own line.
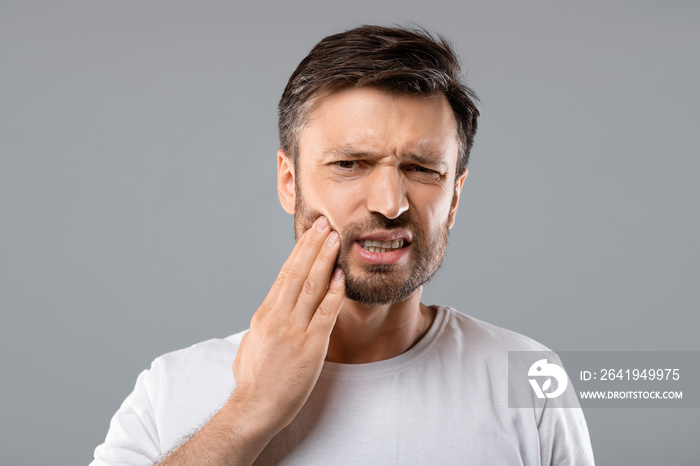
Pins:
<point x="342" y="363"/>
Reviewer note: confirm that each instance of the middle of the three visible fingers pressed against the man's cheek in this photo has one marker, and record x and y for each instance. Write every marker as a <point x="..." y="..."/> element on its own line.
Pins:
<point x="317" y="281"/>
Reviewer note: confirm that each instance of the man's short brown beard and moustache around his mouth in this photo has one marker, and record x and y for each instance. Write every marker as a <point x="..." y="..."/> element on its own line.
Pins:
<point x="382" y="283"/>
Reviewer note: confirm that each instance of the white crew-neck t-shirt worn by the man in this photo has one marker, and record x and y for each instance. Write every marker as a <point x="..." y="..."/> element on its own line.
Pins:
<point x="444" y="401"/>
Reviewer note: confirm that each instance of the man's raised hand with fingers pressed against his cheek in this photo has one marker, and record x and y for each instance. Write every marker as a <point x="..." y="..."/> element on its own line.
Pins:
<point x="281" y="356"/>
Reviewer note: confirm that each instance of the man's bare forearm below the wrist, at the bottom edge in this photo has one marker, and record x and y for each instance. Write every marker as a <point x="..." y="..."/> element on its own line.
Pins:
<point x="234" y="436"/>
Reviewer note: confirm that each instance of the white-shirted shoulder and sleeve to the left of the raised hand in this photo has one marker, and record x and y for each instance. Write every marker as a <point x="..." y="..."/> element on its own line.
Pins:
<point x="182" y="389"/>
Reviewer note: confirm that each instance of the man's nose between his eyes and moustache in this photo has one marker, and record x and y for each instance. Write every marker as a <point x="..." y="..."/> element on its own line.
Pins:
<point x="386" y="192"/>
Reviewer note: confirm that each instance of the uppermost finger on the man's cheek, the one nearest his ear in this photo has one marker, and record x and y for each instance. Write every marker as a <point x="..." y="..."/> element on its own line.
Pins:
<point x="291" y="278"/>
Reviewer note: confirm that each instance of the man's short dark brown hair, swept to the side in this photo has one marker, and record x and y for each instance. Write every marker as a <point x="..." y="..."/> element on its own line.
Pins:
<point x="403" y="60"/>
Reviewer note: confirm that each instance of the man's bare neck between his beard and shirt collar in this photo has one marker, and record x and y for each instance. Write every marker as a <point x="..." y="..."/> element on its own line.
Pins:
<point x="364" y="334"/>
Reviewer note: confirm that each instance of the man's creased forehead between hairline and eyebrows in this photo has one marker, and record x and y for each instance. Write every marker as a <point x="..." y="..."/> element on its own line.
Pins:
<point x="380" y="122"/>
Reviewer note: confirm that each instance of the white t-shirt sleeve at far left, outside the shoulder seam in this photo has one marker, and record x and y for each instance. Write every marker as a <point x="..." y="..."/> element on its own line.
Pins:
<point x="132" y="438"/>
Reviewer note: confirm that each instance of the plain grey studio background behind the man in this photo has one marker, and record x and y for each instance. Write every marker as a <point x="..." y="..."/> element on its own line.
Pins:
<point x="139" y="213"/>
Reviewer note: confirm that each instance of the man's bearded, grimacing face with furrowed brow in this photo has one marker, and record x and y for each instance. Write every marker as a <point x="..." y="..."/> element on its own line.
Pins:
<point x="381" y="167"/>
